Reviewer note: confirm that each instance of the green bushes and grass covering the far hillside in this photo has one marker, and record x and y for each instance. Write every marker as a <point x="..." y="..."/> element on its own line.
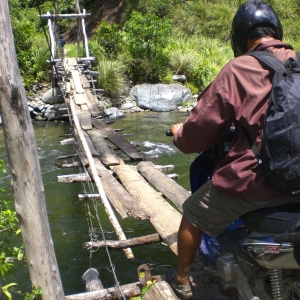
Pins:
<point x="155" y="39"/>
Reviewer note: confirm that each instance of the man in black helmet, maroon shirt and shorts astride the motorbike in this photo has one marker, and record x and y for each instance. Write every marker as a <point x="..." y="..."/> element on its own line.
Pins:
<point x="239" y="94"/>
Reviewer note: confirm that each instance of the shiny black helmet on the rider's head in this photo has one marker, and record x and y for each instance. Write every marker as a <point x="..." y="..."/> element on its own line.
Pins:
<point x="252" y="13"/>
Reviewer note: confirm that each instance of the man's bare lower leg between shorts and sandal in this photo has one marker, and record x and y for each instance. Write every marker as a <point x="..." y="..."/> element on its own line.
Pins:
<point x="189" y="238"/>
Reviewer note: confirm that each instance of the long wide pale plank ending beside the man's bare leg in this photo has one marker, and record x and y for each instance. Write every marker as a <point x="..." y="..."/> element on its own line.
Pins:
<point x="163" y="216"/>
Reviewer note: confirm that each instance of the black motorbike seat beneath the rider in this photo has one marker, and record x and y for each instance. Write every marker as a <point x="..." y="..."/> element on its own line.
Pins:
<point x="273" y="220"/>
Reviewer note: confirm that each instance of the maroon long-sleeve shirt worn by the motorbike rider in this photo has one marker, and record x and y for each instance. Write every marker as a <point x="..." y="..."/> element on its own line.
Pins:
<point x="240" y="92"/>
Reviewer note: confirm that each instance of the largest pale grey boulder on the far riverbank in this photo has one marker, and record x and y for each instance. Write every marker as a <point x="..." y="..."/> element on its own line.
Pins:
<point x="160" y="97"/>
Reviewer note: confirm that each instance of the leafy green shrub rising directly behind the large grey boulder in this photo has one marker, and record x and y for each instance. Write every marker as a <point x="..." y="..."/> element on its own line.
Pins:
<point x="147" y="39"/>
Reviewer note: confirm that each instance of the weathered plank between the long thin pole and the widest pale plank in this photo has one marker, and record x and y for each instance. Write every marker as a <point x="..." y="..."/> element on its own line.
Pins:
<point x="122" y="201"/>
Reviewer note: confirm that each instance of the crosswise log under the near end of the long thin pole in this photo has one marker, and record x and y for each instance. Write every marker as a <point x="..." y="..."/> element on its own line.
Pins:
<point x="134" y="242"/>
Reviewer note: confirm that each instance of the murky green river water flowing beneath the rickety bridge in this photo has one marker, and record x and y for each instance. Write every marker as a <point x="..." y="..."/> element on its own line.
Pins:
<point x="69" y="218"/>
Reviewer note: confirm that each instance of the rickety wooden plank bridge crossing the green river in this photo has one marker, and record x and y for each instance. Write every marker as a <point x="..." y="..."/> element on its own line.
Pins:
<point x="122" y="184"/>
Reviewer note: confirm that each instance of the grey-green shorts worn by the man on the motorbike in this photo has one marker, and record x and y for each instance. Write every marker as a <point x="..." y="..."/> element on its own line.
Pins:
<point x="212" y="212"/>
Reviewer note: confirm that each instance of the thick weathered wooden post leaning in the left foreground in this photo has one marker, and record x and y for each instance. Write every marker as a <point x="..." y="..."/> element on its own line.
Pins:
<point x="26" y="180"/>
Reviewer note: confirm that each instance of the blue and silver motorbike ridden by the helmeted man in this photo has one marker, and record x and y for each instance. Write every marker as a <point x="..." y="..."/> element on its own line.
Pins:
<point x="258" y="256"/>
